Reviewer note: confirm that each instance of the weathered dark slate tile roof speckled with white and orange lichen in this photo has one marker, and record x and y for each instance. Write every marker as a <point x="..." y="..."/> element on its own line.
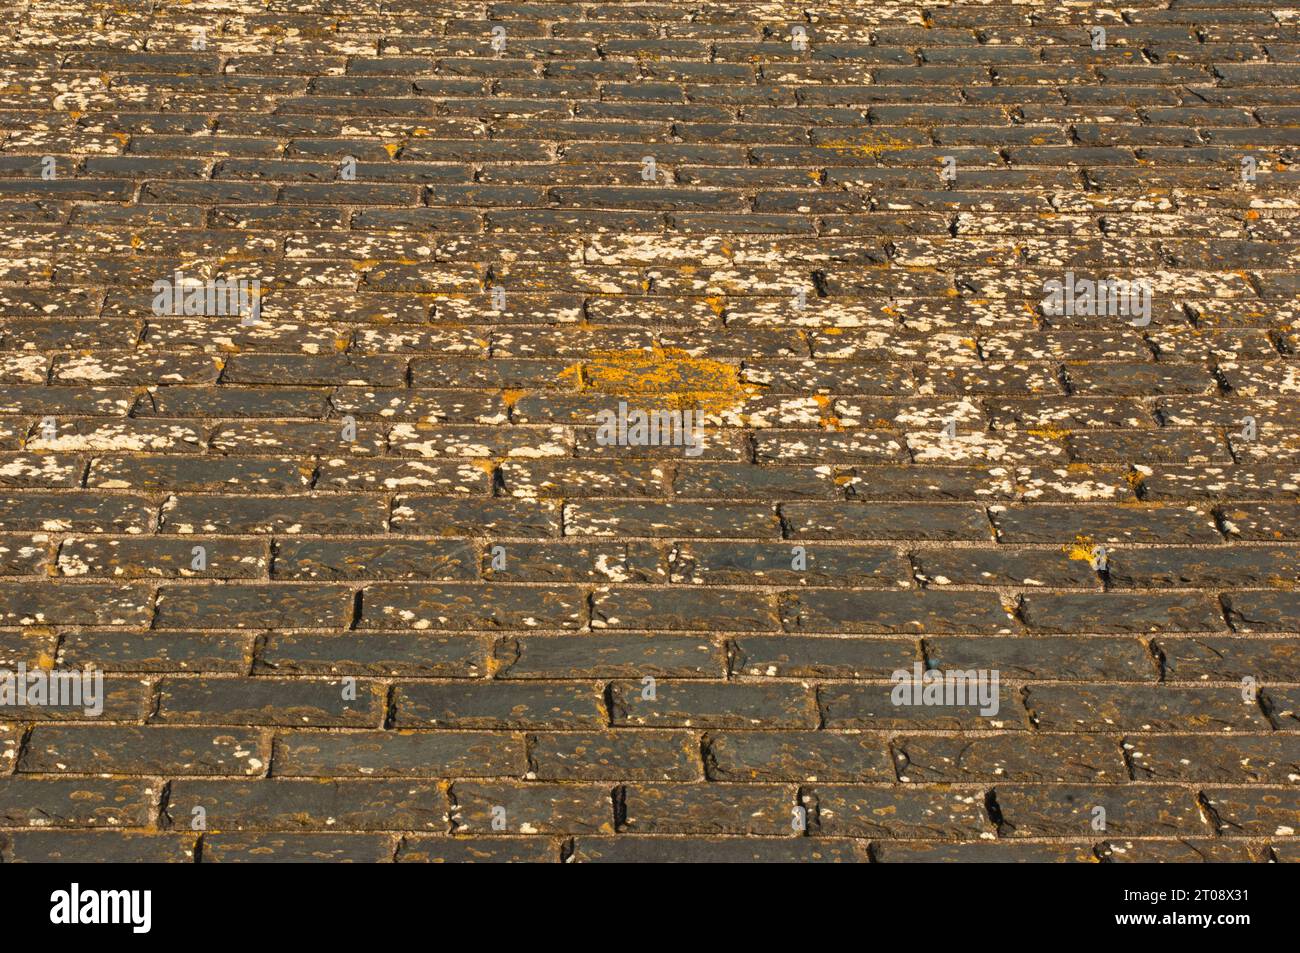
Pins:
<point x="363" y="577"/>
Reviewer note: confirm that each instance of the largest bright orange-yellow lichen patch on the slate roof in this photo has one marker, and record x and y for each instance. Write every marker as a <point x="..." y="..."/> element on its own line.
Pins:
<point x="664" y="376"/>
